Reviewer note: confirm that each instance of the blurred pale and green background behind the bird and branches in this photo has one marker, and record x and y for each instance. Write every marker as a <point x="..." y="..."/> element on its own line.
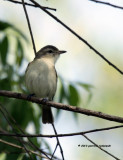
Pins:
<point x="85" y="80"/>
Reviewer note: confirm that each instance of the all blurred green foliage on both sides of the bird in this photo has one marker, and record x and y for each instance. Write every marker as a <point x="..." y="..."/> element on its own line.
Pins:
<point x="10" y="79"/>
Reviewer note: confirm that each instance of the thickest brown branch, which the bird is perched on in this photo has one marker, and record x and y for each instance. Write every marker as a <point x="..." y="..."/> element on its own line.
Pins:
<point x="61" y="106"/>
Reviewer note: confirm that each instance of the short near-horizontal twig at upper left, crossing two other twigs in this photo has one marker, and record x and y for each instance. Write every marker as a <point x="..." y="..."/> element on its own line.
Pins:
<point x="28" y="4"/>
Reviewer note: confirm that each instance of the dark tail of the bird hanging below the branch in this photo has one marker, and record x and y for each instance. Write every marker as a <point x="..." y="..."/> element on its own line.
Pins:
<point x="47" y="116"/>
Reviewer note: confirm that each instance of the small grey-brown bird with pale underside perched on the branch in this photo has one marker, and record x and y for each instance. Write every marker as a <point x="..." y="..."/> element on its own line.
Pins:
<point x="41" y="77"/>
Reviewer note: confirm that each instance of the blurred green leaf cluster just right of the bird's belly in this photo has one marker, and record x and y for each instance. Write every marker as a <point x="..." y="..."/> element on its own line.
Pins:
<point x="71" y="94"/>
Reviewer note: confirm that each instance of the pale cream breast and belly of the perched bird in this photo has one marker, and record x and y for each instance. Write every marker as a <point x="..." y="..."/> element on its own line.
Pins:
<point x="41" y="78"/>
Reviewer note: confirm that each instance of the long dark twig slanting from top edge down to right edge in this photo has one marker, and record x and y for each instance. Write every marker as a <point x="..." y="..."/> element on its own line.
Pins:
<point x="78" y="36"/>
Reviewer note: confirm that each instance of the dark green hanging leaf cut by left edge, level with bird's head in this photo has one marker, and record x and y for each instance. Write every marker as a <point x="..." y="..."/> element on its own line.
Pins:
<point x="4" y="49"/>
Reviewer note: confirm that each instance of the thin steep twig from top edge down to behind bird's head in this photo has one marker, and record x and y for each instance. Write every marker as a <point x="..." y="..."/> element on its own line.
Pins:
<point x="29" y="26"/>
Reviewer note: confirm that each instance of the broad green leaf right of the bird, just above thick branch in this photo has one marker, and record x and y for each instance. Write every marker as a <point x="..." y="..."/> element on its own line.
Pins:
<point x="73" y="97"/>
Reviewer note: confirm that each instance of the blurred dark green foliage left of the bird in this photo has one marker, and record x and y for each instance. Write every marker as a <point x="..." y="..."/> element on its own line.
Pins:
<point x="10" y="79"/>
